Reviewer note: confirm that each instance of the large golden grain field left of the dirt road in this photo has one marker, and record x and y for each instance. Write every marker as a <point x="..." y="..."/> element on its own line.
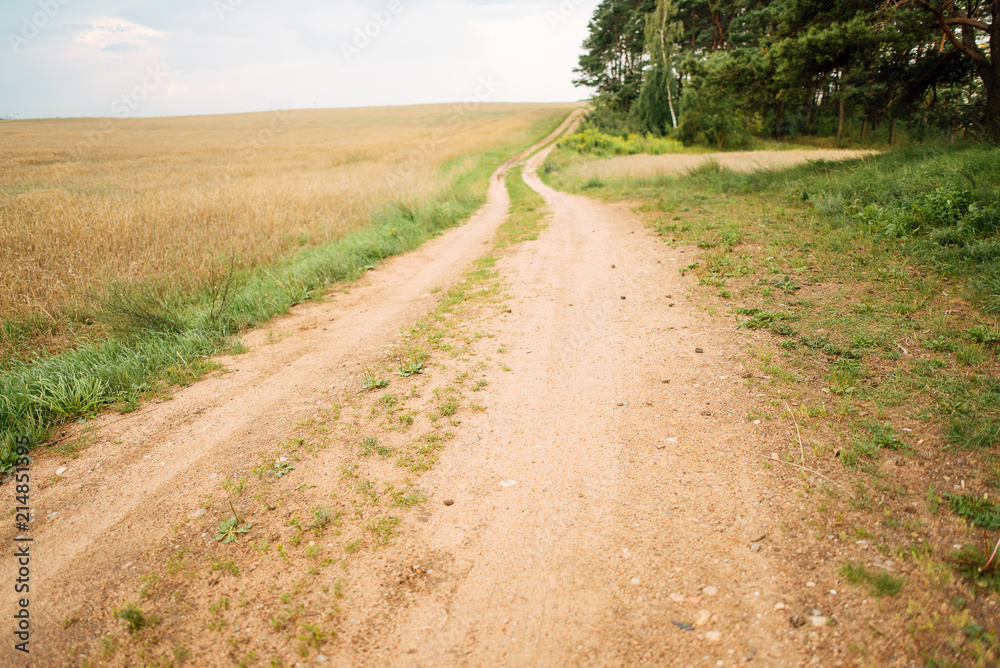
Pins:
<point x="86" y="201"/>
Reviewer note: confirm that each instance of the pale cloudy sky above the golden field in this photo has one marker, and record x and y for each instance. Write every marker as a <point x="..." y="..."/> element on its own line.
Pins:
<point x="138" y="58"/>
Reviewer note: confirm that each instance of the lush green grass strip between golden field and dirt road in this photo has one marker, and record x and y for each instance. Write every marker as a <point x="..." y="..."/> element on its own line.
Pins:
<point x="155" y="341"/>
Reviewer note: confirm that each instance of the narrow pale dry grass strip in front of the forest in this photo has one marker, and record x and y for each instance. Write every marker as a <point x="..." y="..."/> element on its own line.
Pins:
<point x="640" y="166"/>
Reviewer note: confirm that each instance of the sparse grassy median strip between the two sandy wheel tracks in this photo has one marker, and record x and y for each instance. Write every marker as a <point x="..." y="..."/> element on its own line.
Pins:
<point x="309" y="548"/>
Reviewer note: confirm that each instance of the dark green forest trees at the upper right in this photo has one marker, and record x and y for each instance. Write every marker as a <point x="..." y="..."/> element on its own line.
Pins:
<point x="723" y="69"/>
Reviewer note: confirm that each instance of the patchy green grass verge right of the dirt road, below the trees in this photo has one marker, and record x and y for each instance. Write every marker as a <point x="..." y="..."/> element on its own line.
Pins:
<point x="868" y="296"/>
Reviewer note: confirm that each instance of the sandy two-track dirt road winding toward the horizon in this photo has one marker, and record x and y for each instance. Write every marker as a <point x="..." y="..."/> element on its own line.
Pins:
<point x="593" y="493"/>
